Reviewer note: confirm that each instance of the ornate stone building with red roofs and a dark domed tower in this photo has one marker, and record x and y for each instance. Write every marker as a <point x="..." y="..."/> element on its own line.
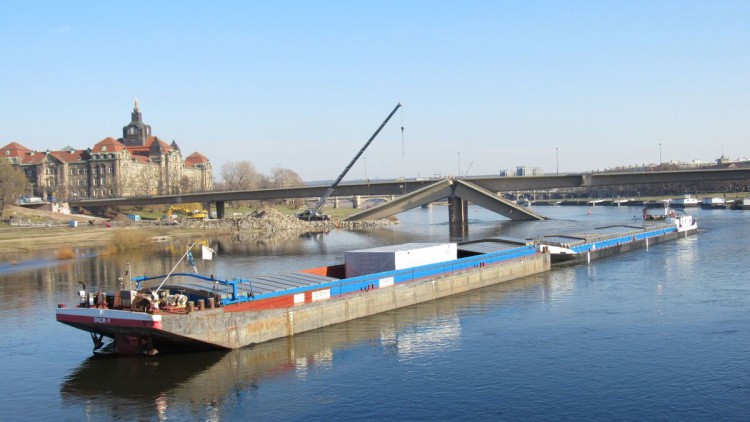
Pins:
<point x="138" y="164"/>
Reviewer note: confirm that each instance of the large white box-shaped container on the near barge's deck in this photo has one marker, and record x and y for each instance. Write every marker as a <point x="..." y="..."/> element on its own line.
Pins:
<point x="397" y="257"/>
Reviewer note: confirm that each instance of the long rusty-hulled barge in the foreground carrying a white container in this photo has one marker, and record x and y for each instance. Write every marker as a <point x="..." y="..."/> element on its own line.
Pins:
<point x="183" y="312"/>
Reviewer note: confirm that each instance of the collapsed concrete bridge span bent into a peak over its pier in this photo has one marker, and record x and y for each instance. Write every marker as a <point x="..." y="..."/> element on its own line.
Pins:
<point x="459" y="193"/>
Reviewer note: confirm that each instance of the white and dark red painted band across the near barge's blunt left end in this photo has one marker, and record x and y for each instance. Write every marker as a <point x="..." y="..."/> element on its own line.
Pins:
<point x="108" y="317"/>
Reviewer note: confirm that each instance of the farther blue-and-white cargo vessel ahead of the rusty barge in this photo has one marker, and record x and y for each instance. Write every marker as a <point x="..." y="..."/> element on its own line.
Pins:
<point x="574" y="248"/>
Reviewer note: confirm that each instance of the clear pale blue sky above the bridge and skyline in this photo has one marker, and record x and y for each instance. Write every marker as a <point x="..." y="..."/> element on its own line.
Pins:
<point x="302" y="85"/>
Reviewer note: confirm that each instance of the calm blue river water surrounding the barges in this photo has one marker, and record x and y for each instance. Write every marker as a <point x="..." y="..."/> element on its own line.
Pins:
<point x="658" y="334"/>
